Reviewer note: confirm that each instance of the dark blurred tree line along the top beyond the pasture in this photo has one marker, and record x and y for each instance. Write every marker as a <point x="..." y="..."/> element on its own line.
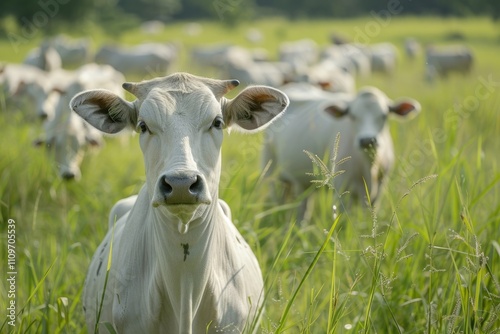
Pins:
<point x="228" y="11"/>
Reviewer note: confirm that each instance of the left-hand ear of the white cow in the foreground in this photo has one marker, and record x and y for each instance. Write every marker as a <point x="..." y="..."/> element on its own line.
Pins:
<point x="104" y="110"/>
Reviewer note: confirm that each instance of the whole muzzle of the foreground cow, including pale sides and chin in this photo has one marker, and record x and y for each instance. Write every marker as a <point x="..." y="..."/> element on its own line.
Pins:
<point x="181" y="188"/>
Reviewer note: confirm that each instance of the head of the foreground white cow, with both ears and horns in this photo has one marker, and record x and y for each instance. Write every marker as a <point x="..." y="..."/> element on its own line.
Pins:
<point x="180" y="119"/>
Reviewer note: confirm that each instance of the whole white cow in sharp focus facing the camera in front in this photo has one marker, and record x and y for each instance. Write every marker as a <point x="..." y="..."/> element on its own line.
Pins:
<point x="179" y="265"/>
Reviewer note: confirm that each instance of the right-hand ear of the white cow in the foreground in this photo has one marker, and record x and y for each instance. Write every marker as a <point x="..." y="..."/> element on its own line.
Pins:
<point x="254" y="108"/>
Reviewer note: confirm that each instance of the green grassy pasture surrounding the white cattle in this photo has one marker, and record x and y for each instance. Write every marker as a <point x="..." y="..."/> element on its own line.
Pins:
<point x="427" y="262"/>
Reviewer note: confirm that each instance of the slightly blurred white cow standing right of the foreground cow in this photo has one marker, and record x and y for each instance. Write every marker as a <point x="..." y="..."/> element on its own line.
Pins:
<point x="312" y="122"/>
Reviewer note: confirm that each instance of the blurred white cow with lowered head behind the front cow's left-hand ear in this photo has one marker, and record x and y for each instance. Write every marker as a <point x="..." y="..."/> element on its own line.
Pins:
<point x="66" y="134"/>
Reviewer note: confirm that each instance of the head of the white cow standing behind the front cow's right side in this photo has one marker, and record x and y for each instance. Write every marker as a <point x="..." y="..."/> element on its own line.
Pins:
<point x="368" y="113"/>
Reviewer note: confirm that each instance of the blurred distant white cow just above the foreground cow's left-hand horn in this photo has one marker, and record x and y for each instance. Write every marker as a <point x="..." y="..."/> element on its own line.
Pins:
<point x="149" y="59"/>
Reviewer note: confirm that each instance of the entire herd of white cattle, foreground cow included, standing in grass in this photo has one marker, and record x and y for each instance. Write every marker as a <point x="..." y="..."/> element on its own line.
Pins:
<point x="168" y="275"/>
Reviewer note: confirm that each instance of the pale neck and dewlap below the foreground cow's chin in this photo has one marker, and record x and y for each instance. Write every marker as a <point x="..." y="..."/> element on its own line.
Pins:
<point x="184" y="262"/>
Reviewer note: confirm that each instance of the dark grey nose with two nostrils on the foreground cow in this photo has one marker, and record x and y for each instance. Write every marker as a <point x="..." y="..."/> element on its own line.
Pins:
<point x="185" y="188"/>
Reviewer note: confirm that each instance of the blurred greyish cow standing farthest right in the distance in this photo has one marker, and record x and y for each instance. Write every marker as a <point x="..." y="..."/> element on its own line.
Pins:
<point x="442" y="60"/>
